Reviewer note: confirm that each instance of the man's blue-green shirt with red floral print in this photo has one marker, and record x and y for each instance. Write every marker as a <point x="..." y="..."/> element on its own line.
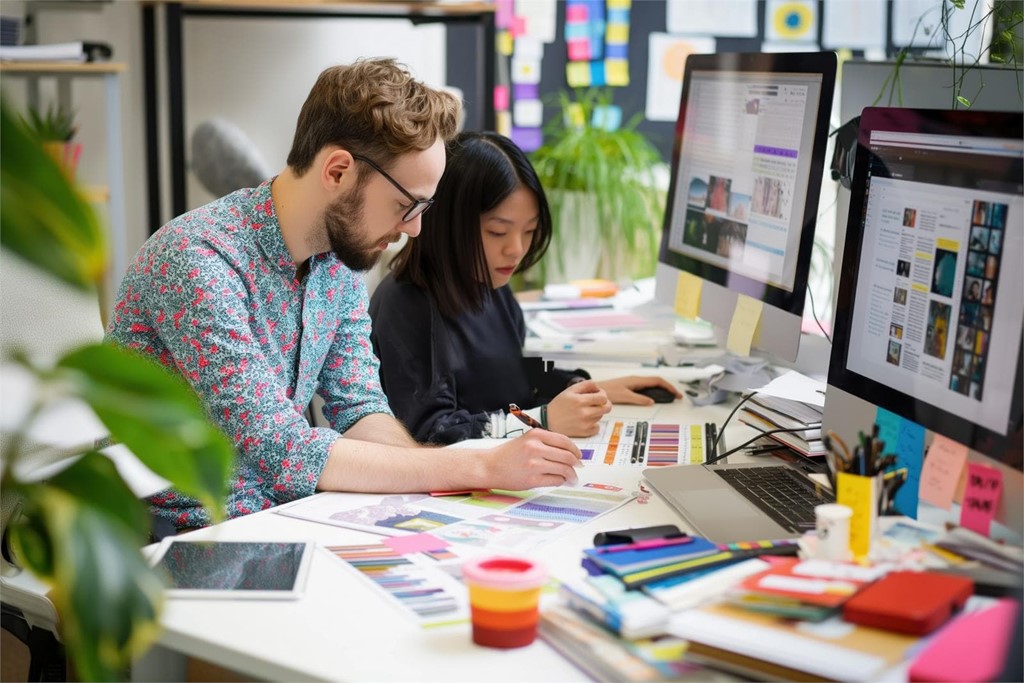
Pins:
<point x="215" y="294"/>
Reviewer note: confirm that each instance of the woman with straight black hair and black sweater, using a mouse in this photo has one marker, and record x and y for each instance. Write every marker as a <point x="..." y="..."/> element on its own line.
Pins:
<point x="447" y="328"/>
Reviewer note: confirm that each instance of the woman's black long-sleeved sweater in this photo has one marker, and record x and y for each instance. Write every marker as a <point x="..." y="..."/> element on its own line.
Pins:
<point x="444" y="377"/>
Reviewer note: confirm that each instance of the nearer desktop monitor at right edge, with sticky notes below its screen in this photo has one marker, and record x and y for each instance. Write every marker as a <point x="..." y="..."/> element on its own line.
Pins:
<point x="929" y="321"/>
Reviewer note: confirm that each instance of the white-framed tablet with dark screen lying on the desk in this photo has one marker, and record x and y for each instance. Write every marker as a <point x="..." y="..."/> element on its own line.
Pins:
<point x="234" y="570"/>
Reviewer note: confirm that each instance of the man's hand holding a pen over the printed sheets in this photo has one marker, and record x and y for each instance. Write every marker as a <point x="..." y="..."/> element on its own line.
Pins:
<point x="539" y="458"/>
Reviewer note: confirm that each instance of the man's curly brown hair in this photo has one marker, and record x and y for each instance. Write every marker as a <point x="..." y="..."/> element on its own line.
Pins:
<point x="373" y="108"/>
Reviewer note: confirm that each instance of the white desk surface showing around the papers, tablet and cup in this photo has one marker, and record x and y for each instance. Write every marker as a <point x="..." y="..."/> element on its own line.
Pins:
<point x="345" y="629"/>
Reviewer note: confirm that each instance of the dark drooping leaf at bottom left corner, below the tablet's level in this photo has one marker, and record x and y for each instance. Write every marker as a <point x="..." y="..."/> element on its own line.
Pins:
<point x="107" y="595"/>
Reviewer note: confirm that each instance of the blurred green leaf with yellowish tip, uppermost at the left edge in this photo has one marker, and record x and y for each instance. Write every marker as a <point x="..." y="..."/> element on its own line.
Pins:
<point x="42" y="218"/>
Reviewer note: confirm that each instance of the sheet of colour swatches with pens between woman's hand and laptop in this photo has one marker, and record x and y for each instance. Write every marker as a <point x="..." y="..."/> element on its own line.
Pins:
<point x="650" y="444"/>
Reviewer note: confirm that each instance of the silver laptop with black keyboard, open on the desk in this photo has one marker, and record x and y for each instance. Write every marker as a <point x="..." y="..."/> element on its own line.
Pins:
<point x="742" y="501"/>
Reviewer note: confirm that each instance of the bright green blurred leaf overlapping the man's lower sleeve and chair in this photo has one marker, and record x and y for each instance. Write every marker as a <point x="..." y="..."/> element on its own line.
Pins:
<point x="158" y="417"/>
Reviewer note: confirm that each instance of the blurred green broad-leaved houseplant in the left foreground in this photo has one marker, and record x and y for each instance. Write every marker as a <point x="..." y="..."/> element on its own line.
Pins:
<point x="81" y="531"/>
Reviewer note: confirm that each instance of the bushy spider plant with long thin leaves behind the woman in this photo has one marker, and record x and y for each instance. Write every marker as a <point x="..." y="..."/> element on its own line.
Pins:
<point x="601" y="182"/>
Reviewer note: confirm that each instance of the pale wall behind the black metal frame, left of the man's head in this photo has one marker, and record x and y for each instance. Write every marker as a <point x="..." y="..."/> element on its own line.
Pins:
<point x="253" y="72"/>
